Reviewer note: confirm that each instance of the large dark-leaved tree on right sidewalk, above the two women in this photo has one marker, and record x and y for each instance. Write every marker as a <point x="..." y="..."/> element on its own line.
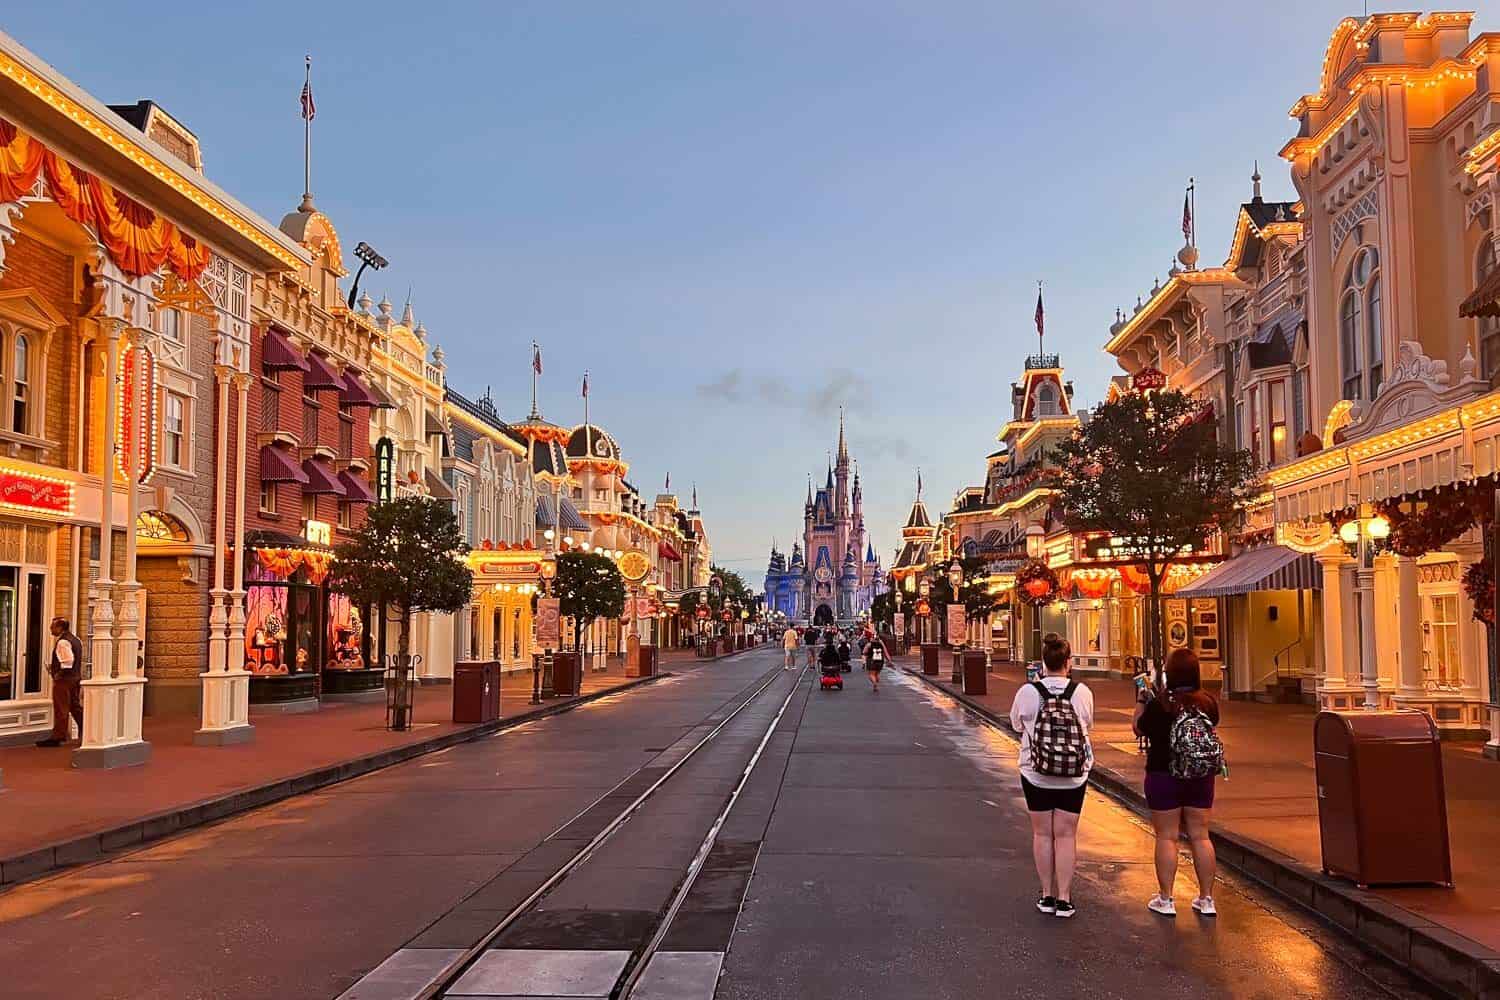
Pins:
<point x="1150" y="473"/>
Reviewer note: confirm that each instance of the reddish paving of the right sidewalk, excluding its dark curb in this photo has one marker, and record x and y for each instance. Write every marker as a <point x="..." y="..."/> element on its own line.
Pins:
<point x="1271" y="795"/>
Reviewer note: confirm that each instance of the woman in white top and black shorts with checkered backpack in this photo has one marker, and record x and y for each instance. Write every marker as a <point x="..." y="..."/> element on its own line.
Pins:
<point x="1054" y="716"/>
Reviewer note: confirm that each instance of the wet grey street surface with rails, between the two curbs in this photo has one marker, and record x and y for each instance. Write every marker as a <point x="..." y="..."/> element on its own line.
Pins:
<point x="878" y="848"/>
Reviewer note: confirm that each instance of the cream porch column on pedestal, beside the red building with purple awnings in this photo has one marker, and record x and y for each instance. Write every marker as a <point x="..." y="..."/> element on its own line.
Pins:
<point x="226" y="692"/>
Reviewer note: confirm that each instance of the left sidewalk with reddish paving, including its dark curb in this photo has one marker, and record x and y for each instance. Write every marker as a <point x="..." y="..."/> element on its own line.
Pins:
<point x="53" y="815"/>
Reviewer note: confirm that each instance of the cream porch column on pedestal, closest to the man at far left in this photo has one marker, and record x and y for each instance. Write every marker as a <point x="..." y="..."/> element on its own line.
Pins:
<point x="113" y="699"/>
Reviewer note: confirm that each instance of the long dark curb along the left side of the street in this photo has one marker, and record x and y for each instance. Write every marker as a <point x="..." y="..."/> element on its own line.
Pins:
<point x="136" y="833"/>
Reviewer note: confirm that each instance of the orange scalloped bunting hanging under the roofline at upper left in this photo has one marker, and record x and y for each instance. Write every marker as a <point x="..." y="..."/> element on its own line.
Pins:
<point x="137" y="239"/>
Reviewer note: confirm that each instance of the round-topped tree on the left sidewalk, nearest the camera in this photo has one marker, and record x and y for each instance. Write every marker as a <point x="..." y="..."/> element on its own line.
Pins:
<point x="407" y="555"/>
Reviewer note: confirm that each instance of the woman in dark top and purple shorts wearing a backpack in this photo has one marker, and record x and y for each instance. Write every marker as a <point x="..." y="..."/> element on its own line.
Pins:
<point x="1184" y="756"/>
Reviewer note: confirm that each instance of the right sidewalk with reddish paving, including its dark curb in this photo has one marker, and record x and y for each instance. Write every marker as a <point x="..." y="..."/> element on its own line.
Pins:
<point x="1267" y="816"/>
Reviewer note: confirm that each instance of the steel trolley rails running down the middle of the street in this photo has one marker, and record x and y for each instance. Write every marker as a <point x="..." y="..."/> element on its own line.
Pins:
<point x="628" y="800"/>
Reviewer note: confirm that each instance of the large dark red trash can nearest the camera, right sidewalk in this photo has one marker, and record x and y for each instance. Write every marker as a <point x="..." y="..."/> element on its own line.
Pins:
<point x="1381" y="804"/>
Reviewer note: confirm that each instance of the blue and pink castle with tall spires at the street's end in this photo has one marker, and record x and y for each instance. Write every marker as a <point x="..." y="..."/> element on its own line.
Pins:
<point x="832" y="582"/>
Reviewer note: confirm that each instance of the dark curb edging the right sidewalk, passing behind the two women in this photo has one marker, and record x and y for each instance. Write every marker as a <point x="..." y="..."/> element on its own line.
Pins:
<point x="1450" y="962"/>
